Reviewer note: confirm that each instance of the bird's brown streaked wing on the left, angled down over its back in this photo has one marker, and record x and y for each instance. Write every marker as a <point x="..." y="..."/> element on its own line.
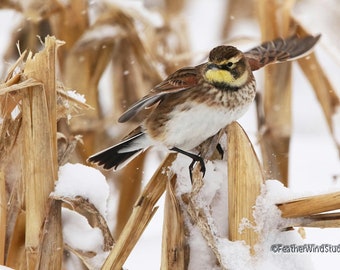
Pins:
<point x="181" y="80"/>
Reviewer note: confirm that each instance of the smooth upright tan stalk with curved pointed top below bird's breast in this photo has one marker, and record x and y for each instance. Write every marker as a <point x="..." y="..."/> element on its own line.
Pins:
<point x="244" y="183"/>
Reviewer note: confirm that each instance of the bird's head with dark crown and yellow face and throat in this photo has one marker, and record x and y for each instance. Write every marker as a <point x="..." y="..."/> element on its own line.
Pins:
<point x="227" y="68"/>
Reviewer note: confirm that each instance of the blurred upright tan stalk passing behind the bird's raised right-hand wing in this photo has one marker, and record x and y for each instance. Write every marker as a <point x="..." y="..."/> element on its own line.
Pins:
<point x="274" y="18"/>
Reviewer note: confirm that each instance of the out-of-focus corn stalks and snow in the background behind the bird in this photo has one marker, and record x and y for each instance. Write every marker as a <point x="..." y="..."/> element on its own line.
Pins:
<point x="115" y="51"/>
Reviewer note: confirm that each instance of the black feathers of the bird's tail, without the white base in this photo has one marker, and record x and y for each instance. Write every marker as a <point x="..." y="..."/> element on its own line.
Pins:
<point x="114" y="156"/>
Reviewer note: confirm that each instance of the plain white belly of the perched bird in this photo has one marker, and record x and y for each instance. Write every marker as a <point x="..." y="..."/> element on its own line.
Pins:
<point x="188" y="128"/>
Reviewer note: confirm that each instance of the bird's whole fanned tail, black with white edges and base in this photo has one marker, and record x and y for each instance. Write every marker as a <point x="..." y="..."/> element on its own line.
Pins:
<point x="118" y="155"/>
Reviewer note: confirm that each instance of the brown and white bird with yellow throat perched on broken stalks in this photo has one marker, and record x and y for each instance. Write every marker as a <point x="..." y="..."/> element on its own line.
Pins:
<point x="195" y="103"/>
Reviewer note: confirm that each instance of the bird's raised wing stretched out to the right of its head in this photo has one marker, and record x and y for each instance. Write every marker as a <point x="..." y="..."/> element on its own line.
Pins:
<point x="280" y="50"/>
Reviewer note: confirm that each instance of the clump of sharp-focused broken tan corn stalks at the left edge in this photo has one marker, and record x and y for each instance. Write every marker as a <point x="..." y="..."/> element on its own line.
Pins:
<point x="40" y="102"/>
